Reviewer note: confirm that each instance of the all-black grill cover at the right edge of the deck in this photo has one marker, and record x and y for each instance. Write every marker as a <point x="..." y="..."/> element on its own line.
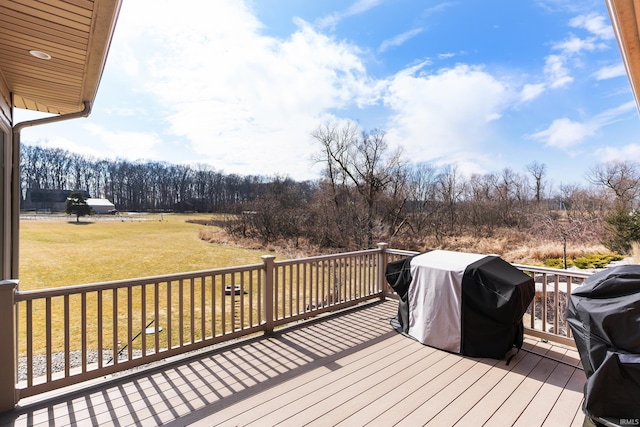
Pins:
<point x="604" y="316"/>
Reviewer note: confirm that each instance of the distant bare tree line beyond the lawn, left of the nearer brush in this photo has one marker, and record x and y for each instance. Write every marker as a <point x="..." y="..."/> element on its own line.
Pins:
<point x="136" y="185"/>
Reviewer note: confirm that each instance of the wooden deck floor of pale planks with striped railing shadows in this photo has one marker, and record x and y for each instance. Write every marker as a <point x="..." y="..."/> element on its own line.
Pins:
<point x="348" y="369"/>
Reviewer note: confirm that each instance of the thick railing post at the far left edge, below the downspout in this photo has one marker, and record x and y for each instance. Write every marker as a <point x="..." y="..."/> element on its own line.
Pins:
<point x="8" y="378"/>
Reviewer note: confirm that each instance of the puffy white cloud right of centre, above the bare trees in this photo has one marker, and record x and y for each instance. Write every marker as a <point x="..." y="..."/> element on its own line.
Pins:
<point x="444" y="115"/>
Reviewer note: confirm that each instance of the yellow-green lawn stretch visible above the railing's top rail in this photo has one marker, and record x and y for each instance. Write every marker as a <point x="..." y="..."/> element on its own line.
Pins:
<point x="55" y="251"/>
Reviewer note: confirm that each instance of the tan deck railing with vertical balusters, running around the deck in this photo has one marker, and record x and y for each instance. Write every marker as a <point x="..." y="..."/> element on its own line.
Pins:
<point x="73" y="334"/>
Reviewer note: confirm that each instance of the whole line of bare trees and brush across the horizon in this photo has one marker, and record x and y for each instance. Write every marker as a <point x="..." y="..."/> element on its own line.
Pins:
<point x="367" y="193"/>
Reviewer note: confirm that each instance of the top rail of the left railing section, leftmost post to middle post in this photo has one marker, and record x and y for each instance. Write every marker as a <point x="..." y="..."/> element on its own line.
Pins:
<point x="102" y="286"/>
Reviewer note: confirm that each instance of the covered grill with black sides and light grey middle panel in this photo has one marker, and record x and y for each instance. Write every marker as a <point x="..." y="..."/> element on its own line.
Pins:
<point x="494" y="295"/>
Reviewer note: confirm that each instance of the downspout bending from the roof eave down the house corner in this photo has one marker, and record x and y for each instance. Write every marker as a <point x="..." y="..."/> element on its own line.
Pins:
<point x="15" y="177"/>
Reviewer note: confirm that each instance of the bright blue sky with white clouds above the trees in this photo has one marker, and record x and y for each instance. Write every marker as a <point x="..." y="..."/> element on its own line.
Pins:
<point x="241" y="85"/>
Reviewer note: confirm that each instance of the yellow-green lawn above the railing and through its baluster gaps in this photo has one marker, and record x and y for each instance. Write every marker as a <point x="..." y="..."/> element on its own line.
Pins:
<point x="55" y="251"/>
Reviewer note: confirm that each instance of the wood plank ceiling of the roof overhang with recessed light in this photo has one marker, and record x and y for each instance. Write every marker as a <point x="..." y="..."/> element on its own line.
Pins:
<point x="75" y="34"/>
